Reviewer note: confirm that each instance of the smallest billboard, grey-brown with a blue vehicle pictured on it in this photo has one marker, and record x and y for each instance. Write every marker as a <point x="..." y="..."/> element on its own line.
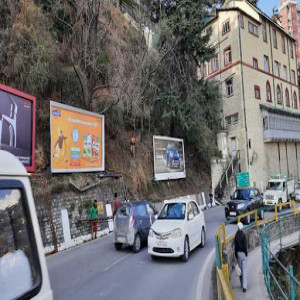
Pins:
<point x="169" y="160"/>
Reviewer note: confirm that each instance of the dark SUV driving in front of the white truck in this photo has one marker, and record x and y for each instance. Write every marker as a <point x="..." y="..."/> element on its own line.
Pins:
<point x="242" y="201"/>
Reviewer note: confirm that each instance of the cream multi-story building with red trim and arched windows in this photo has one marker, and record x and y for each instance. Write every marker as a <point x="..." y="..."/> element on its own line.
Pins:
<point x="255" y="64"/>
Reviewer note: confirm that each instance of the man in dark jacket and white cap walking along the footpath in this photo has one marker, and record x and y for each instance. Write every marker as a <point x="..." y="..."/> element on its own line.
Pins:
<point x="241" y="253"/>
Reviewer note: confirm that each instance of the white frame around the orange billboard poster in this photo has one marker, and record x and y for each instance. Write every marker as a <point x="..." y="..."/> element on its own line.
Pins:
<point x="84" y="112"/>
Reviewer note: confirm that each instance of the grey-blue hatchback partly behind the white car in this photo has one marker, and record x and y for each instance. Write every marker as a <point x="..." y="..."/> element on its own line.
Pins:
<point x="132" y="223"/>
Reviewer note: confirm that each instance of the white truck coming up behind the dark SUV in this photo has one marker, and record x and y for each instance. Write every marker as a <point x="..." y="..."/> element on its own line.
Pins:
<point x="280" y="189"/>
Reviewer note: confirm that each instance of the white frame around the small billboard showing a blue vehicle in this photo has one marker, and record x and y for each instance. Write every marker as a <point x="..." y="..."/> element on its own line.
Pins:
<point x="168" y="176"/>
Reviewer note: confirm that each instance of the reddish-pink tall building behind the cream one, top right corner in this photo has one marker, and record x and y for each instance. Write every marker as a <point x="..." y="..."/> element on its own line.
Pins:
<point x="289" y="13"/>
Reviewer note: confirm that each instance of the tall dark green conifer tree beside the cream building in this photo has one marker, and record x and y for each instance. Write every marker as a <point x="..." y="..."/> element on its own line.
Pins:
<point x="185" y="105"/>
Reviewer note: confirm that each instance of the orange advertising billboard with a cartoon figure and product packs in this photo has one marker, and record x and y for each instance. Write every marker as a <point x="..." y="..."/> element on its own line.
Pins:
<point x="77" y="139"/>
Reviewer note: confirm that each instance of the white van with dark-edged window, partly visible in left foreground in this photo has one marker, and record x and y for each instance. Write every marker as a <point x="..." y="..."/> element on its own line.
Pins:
<point x="23" y="269"/>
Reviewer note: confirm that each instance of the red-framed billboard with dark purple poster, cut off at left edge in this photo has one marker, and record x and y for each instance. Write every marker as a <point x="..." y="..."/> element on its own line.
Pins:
<point x="17" y="125"/>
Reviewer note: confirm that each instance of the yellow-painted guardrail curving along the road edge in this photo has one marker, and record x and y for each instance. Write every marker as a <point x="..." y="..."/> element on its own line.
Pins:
<point x="221" y="241"/>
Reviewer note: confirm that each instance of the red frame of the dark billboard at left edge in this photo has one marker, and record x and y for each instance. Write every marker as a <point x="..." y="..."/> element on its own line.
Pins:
<point x="31" y="98"/>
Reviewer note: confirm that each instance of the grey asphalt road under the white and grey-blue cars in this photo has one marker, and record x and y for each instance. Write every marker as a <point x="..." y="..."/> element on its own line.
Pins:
<point x="96" y="270"/>
